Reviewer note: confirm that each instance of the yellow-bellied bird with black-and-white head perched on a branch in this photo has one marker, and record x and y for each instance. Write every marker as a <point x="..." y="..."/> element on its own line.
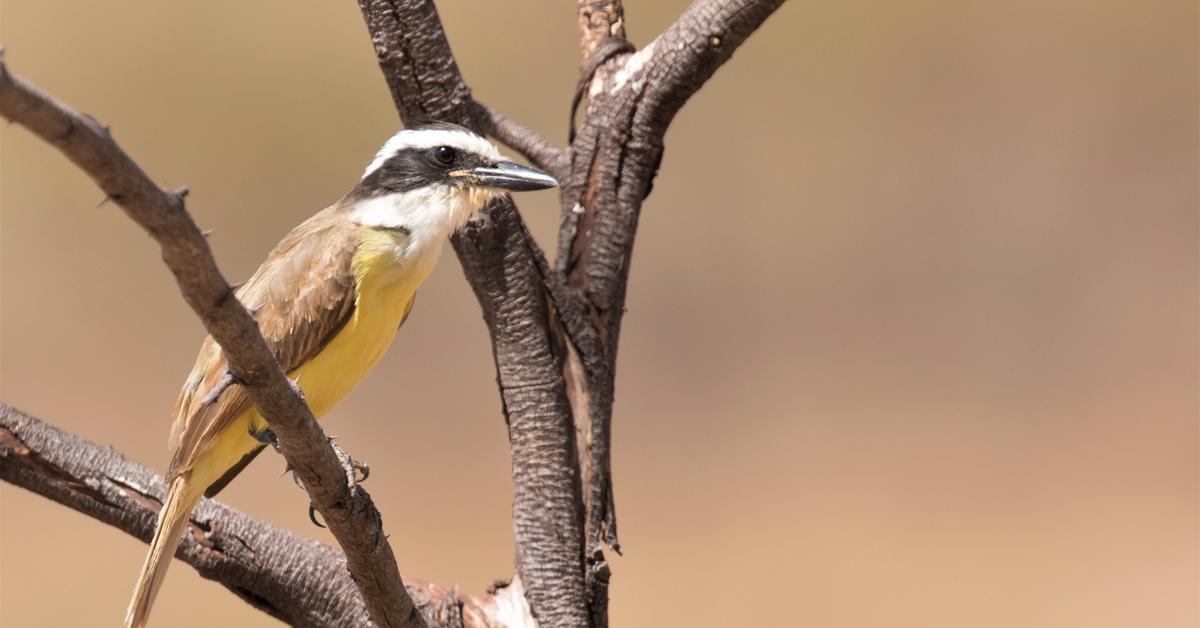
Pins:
<point x="329" y="301"/>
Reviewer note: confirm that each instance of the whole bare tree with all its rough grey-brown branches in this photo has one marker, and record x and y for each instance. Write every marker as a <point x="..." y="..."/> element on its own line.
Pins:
<point x="555" y="330"/>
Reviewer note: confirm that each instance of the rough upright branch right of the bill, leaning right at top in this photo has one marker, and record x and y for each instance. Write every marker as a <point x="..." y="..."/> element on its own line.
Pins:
<point x="615" y="158"/>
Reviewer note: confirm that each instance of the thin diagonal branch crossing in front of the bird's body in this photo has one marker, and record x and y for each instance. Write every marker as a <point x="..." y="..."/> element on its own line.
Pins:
<point x="349" y="511"/>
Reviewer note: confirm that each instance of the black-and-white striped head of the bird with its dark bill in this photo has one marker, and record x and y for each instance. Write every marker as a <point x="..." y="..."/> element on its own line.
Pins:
<point x="434" y="178"/>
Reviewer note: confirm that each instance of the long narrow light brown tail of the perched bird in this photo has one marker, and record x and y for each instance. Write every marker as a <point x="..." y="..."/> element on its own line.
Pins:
<point x="172" y="523"/>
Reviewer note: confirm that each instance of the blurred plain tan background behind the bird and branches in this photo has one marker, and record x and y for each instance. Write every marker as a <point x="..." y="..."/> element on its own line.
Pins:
<point x="913" y="333"/>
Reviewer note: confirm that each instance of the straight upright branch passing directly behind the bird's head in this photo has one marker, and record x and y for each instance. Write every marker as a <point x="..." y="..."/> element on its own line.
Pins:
<point x="500" y="264"/>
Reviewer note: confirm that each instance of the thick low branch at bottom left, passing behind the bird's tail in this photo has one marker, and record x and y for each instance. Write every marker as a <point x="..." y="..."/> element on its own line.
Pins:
<point x="295" y="579"/>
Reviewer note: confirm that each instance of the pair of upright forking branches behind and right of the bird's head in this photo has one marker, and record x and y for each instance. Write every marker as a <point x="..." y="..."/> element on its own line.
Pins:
<point x="555" y="331"/>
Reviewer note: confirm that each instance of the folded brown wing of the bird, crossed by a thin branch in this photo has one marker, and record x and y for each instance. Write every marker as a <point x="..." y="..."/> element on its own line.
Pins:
<point x="302" y="297"/>
